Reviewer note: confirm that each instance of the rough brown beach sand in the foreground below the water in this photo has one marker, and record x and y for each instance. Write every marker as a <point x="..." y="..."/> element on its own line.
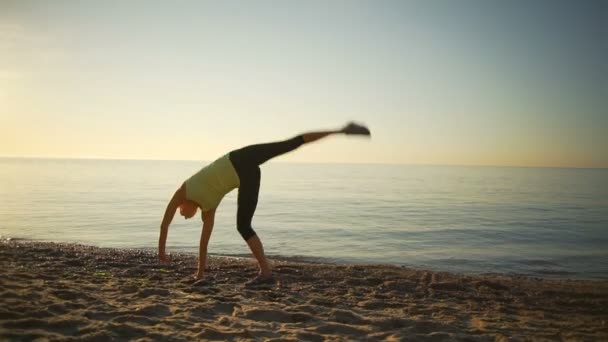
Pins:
<point x="73" y="292"/>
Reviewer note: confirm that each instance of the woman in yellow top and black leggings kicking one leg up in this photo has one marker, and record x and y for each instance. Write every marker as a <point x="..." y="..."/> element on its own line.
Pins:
<point x="237" y="169"/>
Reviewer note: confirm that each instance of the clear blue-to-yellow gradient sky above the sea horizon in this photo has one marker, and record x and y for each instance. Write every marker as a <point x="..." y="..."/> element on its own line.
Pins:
<point x="519" y="82"/>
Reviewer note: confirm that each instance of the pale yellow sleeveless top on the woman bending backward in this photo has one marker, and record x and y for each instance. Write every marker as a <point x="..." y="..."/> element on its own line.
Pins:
<point x="208" y="186"/>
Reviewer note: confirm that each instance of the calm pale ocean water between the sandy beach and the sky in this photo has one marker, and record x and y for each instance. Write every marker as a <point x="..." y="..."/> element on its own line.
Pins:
<point x="534" y="221"/>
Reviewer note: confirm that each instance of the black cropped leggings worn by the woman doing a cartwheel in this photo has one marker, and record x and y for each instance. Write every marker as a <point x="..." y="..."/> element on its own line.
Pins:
<point x="246" y="162"/>
